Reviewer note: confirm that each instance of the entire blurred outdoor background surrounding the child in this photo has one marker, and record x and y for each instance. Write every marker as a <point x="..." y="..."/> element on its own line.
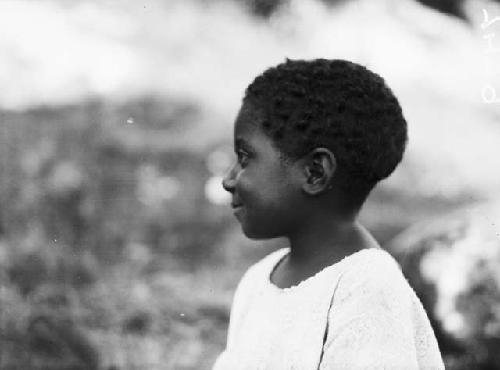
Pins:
<point x="117" y="246"/>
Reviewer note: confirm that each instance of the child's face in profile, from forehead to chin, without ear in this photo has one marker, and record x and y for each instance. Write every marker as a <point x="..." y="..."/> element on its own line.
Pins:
<point x="264" y="191"/>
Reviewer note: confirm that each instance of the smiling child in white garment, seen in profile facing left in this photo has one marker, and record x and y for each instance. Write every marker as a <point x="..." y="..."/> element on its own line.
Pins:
<point x="312" y="139"/>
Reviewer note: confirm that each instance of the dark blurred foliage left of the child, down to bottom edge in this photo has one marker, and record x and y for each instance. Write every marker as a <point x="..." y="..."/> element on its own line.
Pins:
<point x="98" y="224"/>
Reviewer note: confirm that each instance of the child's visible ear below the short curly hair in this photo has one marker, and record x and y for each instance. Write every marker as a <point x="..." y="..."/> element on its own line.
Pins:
<point x="319" y="166"/>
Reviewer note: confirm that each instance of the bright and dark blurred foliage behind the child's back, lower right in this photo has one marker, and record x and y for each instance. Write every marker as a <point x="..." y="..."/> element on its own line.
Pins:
<point x="453" y="263"/>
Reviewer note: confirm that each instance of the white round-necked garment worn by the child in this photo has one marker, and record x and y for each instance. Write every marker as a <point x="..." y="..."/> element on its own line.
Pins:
<point x="373" y="318"/>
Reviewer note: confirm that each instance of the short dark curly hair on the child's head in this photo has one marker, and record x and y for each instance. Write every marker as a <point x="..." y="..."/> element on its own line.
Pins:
<point x="335" y="104"/>
